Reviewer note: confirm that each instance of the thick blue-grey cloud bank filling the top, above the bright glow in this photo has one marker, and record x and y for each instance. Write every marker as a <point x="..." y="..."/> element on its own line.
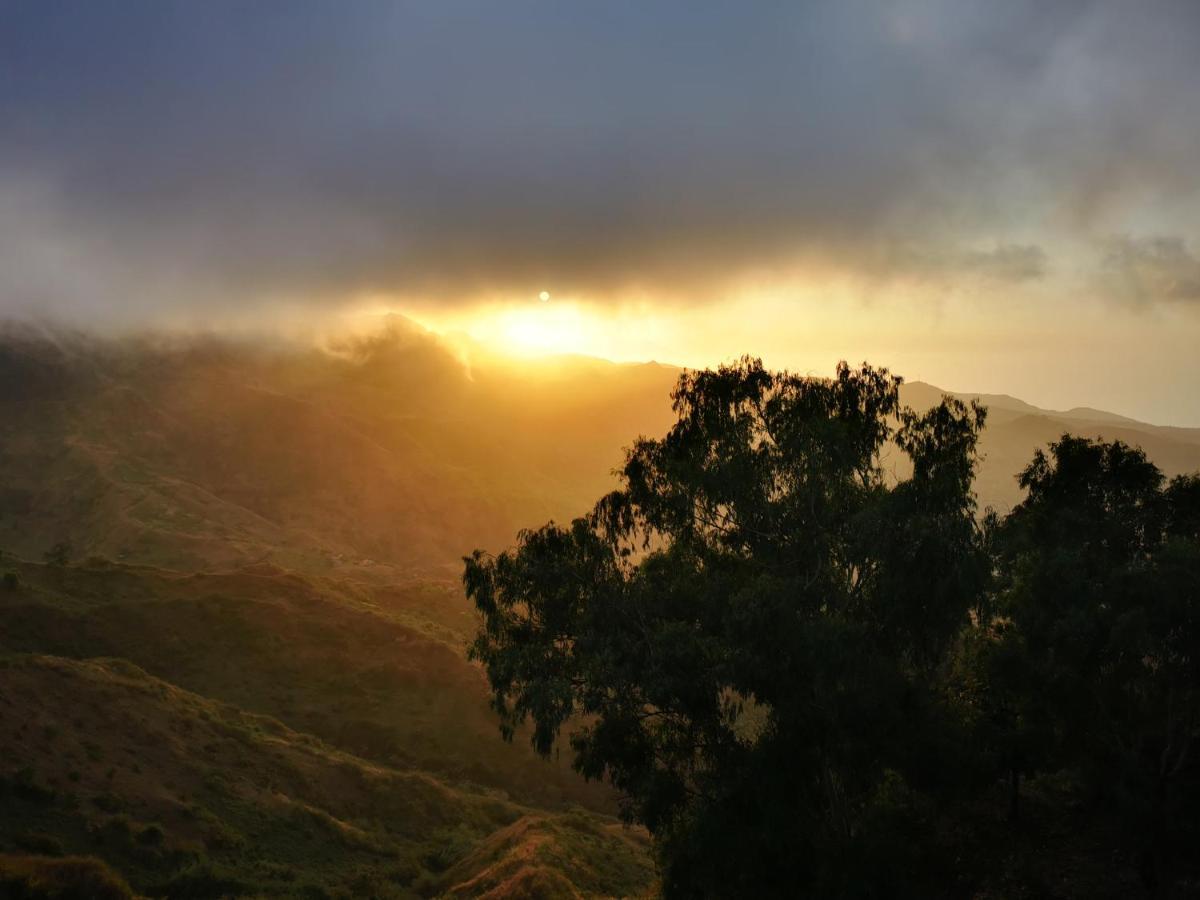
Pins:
<point x="220" y="157"/>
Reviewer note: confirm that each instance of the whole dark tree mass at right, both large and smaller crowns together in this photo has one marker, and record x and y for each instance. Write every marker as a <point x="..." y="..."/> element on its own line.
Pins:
<point x="805" y="659"/>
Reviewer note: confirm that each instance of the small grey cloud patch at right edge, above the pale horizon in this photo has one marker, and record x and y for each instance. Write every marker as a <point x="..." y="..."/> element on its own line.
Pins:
<point x="1151" y="269"/>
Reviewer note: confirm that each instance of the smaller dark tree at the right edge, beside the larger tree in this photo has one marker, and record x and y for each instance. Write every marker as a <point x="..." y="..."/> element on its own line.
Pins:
<point x="1100" y="616"/>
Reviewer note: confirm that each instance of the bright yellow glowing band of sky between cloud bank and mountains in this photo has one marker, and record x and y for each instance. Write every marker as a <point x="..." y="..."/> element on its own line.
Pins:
<point x="806" y="326"/>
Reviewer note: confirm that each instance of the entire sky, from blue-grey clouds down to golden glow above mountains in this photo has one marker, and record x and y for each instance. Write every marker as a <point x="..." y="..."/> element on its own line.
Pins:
<point x="993" y="197"/>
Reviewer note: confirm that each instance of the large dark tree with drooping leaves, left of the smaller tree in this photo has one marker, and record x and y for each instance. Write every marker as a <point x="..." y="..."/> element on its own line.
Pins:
<point x="758" y="567"/>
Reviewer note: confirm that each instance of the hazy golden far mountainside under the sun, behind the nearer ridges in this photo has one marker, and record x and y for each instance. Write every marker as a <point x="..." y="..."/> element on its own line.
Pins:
<point x="385" y="458"/>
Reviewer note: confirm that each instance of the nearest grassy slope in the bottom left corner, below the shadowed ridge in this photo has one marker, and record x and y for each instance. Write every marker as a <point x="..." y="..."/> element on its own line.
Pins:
<point x="229" y="801"/>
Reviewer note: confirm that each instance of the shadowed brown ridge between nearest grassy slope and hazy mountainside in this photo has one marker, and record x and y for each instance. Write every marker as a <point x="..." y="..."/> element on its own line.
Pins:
<point x="291" y="649"/>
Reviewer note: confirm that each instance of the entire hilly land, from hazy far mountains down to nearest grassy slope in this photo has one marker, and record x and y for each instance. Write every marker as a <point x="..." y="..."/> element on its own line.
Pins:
<point x="261" y="550"/>
